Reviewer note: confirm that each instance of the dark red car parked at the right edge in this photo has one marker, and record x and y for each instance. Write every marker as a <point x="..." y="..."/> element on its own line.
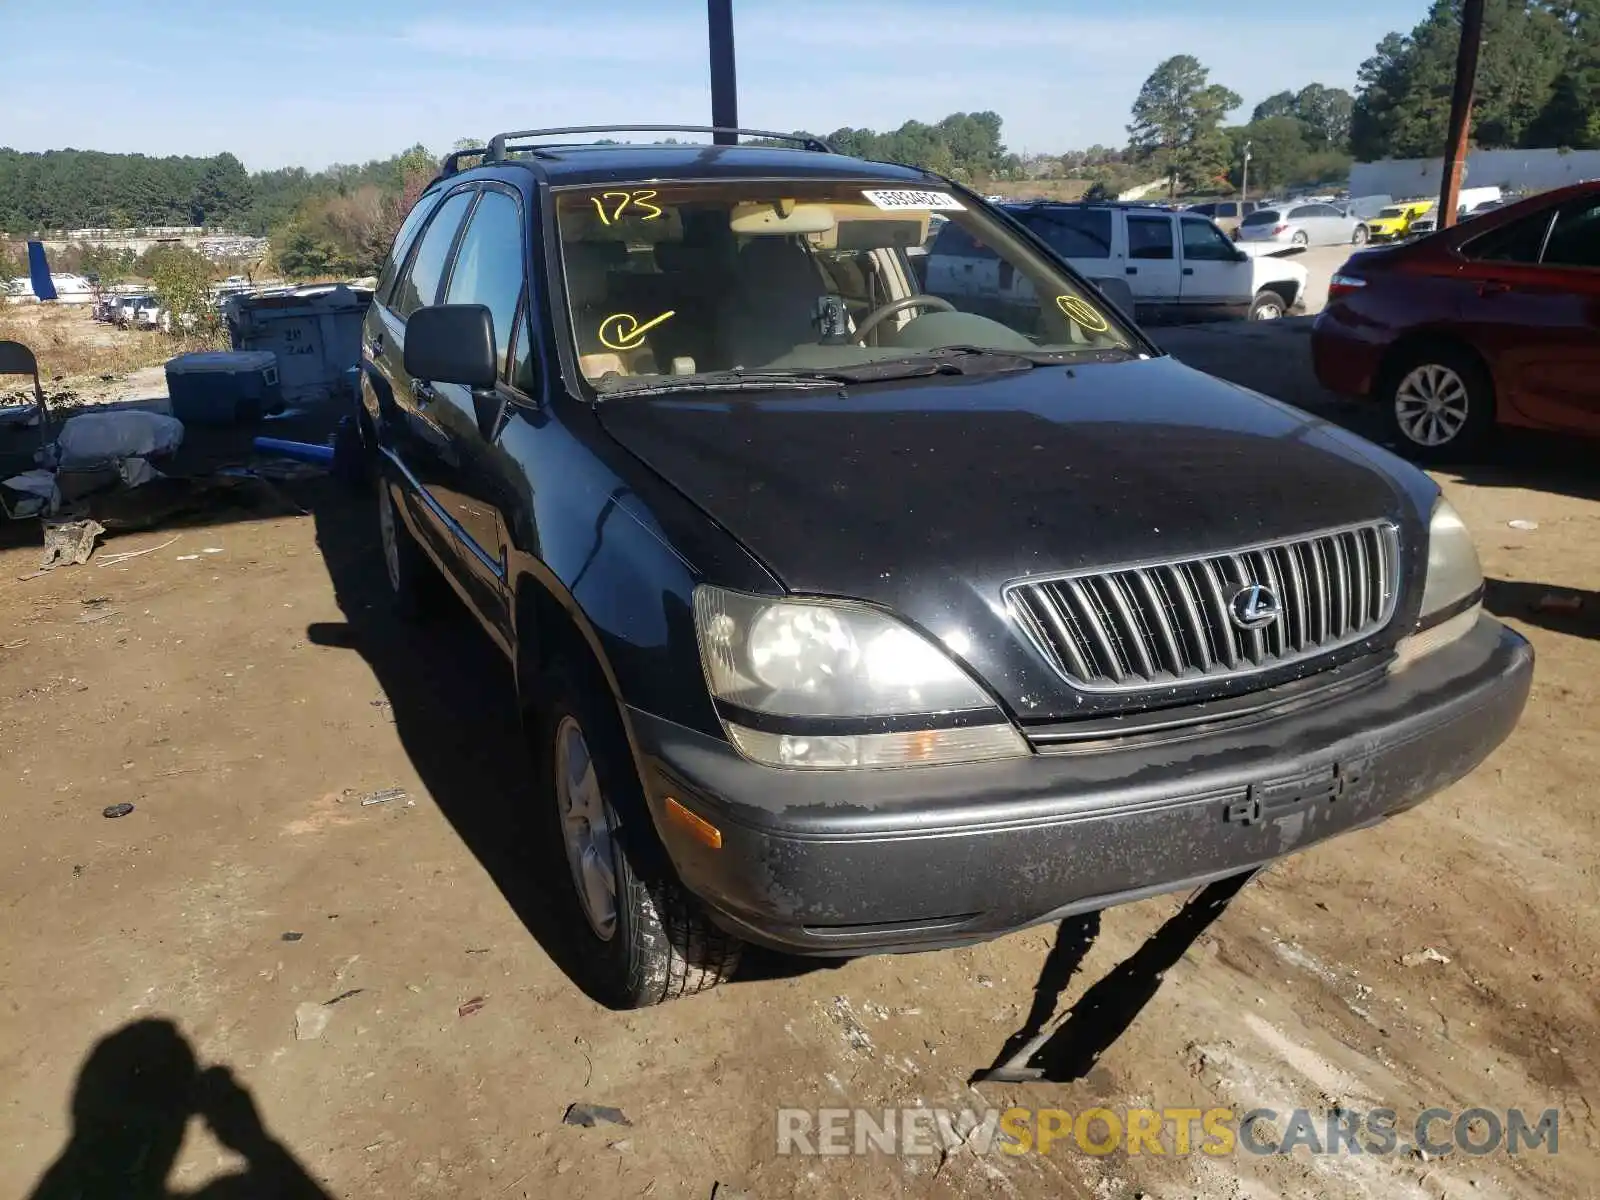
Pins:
<point x="1495" y="321"/>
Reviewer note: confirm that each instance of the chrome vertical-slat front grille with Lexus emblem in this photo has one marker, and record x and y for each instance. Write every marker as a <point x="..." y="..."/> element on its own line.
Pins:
<point x="1166" y="623"/>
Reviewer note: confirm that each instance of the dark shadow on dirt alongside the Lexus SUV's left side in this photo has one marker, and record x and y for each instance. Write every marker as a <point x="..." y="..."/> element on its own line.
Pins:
<point x="454" y="702"/>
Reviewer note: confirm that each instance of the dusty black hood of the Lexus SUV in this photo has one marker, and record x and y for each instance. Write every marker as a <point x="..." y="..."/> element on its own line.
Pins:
<point x="927" y="497"/>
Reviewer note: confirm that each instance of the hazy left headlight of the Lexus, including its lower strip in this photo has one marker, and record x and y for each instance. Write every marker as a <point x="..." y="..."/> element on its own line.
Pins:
<point x="812" y="665"/>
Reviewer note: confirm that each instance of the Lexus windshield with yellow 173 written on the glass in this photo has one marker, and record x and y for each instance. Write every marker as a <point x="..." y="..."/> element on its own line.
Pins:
<point x="801" y="278"/>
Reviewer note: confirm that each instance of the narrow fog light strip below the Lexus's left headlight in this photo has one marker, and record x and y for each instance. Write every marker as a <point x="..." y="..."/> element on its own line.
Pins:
<point x="919" y="748"/>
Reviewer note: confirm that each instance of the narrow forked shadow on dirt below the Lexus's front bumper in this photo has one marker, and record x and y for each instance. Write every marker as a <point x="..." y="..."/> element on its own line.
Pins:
<point x="1110" y="1007"/>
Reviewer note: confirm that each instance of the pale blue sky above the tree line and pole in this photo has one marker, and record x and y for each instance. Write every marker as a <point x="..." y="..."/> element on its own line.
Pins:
<point x="310" y="82"/>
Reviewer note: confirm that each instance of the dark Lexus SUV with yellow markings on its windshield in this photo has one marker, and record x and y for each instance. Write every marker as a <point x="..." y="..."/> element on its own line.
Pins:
<point x="855" y="618"/>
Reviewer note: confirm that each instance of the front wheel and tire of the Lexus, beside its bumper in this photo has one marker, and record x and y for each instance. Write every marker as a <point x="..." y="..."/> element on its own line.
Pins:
<point x="639" y="937"/>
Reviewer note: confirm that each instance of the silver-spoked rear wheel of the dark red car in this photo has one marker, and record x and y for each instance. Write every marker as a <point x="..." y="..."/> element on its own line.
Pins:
<point x="1439" y="402"/>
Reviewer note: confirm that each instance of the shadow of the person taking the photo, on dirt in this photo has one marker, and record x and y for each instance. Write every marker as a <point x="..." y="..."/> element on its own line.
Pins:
<point x="135" y="1097"/>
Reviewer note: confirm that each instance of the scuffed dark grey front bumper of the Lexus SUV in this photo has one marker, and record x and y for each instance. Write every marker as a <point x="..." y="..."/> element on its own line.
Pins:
<point x="841" y="863"/>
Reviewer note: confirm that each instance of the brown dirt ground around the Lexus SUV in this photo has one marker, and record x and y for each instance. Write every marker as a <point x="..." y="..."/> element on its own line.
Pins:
<point x="244" y="689"/>
